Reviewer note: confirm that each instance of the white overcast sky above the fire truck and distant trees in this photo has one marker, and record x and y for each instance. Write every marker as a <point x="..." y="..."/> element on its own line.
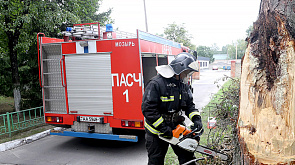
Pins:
<point x="208" y="21"/>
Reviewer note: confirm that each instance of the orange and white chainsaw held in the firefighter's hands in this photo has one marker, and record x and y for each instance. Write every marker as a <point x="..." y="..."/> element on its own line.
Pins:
<point x="186" y="139"/>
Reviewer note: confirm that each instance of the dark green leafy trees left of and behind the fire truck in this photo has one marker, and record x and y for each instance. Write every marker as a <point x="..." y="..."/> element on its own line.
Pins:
<point x="21" y="20"/>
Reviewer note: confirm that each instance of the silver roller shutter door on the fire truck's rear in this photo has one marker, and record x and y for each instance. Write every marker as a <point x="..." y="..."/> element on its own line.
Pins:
<point x="89" y="83"/>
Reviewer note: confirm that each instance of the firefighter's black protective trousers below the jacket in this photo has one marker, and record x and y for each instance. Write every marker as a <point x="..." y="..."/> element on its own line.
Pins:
<point x="157" y="150"/>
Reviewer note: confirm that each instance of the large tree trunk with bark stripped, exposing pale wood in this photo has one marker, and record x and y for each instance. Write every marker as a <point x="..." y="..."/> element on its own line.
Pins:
<point x="267" y="95"/>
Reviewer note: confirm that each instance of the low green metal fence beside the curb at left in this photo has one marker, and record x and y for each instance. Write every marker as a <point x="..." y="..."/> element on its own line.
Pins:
<point x="17" y="121"/>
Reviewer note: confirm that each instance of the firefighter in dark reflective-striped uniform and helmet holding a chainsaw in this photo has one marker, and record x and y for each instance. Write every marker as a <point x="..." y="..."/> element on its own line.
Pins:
<point x="165" y="97"/>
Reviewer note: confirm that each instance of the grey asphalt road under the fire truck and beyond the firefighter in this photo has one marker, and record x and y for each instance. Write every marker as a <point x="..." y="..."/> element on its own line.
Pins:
<point x="58" y="150"/>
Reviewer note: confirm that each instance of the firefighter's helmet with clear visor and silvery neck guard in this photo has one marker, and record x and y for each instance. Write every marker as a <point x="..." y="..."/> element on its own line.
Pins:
<point x="182" y="62"/>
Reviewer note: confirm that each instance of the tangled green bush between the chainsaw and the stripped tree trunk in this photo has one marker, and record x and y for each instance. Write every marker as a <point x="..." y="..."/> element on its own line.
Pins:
<point x="225" y="108"/>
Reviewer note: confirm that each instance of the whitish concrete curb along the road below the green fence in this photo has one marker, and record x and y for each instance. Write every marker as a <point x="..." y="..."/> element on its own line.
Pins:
<point x="19" y="142"/>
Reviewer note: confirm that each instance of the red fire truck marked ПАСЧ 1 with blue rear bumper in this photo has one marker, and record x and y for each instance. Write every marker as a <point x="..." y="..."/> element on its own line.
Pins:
<point x="93" y="80"/>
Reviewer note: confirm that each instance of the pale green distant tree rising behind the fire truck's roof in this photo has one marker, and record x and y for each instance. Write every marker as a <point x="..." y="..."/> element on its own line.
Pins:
<point x="178" y="33"/>
